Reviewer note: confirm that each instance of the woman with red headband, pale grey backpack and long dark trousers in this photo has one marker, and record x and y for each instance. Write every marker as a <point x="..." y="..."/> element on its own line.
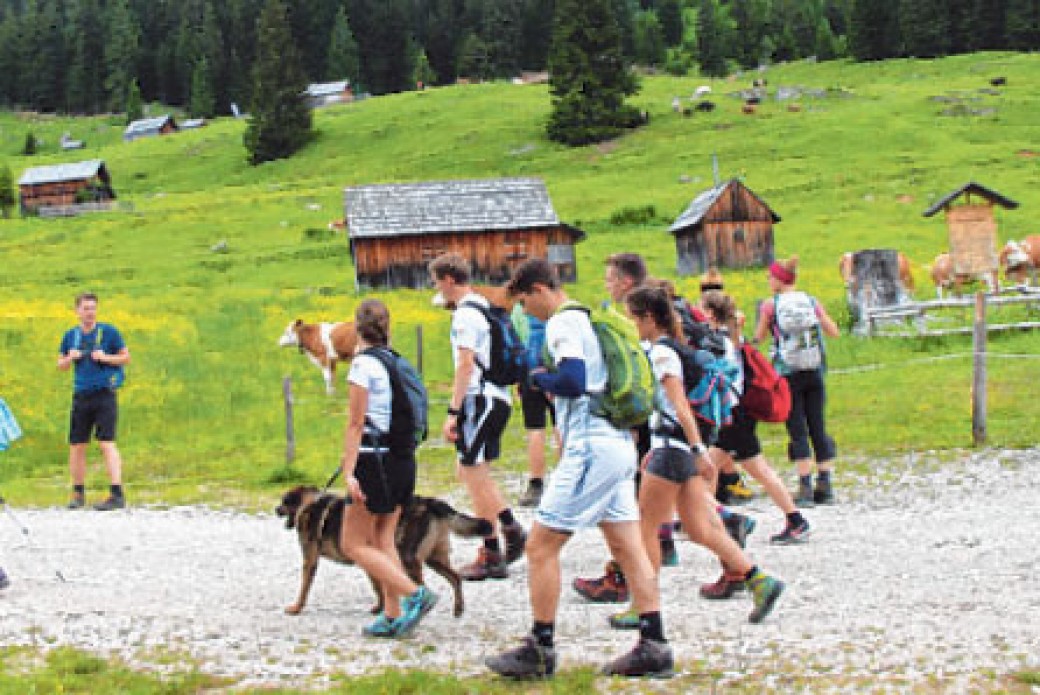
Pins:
<point x="797" y="324"/>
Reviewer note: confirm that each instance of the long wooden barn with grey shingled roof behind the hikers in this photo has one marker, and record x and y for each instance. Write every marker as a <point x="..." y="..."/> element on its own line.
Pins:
<point x="396" y="230"/>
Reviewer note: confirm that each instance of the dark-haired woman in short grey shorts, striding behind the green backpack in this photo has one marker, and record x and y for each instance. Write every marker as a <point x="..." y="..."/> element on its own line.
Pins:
<point x="675" y="470"/>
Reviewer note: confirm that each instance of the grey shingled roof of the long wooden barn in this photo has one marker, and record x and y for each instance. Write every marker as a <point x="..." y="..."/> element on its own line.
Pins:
<point x="401" y="210"/>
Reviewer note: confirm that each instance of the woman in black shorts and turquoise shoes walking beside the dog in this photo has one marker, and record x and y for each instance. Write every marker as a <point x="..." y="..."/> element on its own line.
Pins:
<point x="380" y="480"/>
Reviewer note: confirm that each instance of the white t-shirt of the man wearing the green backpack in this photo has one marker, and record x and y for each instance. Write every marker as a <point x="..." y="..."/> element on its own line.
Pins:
<point x="569" y="336"/>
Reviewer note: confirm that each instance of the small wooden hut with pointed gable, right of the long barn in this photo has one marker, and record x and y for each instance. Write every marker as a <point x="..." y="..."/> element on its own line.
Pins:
<point x="726" y="226"/>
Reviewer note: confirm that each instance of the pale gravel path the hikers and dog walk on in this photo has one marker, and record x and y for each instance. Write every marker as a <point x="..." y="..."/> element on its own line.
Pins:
<point x="923" y="571"/>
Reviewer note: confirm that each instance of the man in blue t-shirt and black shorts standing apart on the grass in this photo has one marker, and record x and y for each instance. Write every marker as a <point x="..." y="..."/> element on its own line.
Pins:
<point x="98" y="355"/>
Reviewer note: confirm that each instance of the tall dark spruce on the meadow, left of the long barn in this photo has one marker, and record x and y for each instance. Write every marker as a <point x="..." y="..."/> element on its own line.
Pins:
<point x="280" y="120"/>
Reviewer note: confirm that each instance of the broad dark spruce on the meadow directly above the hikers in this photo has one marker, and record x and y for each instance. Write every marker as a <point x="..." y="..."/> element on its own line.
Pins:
<point x="588" y="76"/>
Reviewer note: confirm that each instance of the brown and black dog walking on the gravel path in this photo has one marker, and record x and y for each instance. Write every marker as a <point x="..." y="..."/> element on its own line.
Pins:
<point x="424" y="537"/>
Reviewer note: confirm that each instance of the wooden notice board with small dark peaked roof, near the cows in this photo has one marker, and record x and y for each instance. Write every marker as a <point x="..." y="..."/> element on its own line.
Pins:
<point x="973" y="229"/>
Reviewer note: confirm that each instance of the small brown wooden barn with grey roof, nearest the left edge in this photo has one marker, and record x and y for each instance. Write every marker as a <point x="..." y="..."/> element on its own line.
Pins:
<point x="62" y="186"/>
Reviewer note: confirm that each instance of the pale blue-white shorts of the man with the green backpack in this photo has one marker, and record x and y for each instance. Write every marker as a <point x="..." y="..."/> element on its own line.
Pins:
<point x="594" y="483"/>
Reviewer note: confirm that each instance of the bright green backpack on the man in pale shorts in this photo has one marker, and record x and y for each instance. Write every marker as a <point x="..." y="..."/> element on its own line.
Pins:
<point x="628" y="401"/>
